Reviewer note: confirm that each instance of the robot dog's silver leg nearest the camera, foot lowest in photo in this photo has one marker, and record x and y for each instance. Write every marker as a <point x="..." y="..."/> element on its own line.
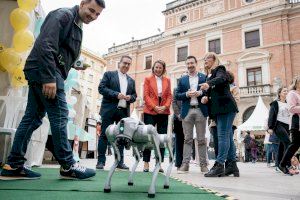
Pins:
<point x="151" y="191"/>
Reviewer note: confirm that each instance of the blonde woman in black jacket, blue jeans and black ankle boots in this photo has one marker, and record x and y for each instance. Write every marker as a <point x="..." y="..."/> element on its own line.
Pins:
<point x="222" y="109"/>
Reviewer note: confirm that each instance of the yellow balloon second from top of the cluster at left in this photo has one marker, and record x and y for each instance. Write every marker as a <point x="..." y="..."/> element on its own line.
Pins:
<point x="19" y="19"/>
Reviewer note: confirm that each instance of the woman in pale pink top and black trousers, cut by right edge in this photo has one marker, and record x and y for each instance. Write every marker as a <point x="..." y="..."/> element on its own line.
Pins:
<point x="293" y="101"/>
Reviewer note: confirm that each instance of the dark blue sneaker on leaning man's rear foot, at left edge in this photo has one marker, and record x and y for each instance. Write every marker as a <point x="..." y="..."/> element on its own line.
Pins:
<point x="9" y="173"/>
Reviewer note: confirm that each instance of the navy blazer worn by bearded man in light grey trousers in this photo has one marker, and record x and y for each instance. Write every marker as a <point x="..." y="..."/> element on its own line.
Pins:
<point x="182" y="88"/>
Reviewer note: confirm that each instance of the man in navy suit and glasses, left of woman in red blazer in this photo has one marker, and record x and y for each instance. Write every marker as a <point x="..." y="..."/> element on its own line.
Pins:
<point x="118" y="90"/>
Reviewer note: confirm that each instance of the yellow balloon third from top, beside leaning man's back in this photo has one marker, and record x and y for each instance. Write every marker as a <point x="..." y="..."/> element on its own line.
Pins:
<point x="23" y="40"/>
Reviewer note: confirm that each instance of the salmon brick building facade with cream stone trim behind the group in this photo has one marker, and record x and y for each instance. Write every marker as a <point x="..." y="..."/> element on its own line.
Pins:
<point x="258" y="40"/>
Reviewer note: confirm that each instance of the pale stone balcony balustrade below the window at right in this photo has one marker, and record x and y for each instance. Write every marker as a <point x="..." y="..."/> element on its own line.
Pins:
<point x="256" y="90"/>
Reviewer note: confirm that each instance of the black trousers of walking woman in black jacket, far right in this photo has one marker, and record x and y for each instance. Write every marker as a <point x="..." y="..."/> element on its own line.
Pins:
<point x="282" y="132"/>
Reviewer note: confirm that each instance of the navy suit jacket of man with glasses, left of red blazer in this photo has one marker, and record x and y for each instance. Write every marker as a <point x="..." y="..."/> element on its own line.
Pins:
<point x="109" y="87"/>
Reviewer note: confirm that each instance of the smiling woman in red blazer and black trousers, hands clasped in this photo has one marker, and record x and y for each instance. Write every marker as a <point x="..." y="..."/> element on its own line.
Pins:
<point x="158" y="98"/>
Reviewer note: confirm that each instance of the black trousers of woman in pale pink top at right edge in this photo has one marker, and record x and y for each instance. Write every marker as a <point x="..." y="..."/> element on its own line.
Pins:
<point x="292" y="148"/>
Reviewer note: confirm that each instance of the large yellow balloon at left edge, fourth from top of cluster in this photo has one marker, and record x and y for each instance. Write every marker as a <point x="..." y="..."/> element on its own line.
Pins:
<point x="10" y="60"/>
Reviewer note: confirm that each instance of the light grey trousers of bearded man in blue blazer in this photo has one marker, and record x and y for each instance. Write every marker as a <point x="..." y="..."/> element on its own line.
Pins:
<point x="194" y="118"/>
